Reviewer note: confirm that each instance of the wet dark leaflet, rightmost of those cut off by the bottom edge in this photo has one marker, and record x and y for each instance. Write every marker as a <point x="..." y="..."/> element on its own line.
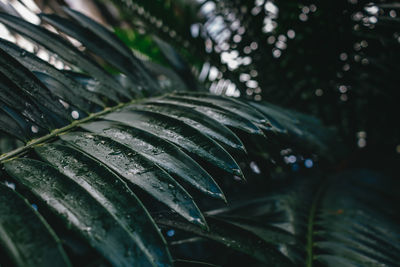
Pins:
<point x="113" y="194"/>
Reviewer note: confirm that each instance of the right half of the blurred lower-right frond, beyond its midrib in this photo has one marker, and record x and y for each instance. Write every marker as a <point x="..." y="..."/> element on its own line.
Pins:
<point x="356" y="221"/>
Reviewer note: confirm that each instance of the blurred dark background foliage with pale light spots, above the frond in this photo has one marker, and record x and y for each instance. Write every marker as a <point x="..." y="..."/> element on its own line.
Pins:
<point x="337" y="60"/>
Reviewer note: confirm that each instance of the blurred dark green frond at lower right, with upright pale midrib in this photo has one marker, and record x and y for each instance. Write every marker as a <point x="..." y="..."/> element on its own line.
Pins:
<point x="349" y="221"/>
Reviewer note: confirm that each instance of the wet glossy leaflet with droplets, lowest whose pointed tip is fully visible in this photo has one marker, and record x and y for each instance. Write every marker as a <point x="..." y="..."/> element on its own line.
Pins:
<point x="138" y="171"/>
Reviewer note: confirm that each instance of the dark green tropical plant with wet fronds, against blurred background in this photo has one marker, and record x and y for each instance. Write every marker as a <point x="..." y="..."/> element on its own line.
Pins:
<point x="114" y="166"/>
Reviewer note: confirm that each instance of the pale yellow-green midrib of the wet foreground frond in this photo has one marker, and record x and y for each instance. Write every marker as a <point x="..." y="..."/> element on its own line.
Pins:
<point x="20" y="150"/>
